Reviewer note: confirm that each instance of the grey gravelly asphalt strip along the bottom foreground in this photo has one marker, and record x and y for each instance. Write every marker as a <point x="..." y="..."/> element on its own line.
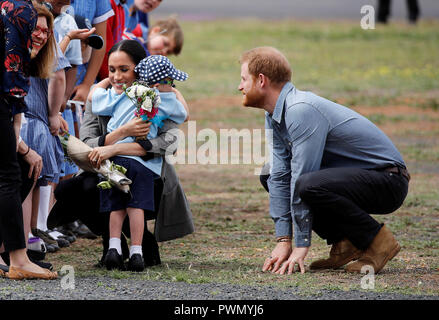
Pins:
<point x="106" y="288"/>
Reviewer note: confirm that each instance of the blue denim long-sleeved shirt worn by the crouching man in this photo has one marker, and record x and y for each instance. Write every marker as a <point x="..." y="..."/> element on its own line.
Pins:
<point x="311" y="133"/>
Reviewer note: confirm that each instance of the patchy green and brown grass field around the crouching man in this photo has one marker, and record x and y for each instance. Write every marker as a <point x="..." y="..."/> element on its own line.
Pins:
<point x="391" y="75"/>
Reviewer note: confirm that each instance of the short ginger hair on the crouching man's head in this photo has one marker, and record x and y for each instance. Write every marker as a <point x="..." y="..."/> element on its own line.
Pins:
<point x="268" y="61"/>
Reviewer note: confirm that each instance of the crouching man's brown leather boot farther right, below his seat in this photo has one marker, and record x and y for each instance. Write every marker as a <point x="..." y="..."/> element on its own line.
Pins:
<point x="382" y="249"/>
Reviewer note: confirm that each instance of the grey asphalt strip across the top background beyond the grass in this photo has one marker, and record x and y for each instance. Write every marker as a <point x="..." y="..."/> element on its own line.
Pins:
<point x="285" y="9"/>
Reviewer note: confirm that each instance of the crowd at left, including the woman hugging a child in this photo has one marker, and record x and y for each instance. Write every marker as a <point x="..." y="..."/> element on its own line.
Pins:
<point x="66" y="66"/>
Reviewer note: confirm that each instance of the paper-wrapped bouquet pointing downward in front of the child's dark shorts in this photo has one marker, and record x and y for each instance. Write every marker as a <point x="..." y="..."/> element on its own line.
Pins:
<point x="78" y="151"/>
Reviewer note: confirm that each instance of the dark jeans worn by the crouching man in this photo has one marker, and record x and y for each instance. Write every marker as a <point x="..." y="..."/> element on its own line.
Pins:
<point x="343" y="199"/>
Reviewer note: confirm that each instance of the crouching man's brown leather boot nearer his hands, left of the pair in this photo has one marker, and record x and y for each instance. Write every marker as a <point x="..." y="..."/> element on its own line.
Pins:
<point x="341" y="253"/>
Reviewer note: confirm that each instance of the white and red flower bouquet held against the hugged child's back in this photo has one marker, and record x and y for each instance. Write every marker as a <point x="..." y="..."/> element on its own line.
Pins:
<point x="146" y="100"/>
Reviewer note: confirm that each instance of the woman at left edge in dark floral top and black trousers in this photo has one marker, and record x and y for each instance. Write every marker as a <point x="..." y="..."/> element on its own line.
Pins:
<point x="19" y="22"/>
